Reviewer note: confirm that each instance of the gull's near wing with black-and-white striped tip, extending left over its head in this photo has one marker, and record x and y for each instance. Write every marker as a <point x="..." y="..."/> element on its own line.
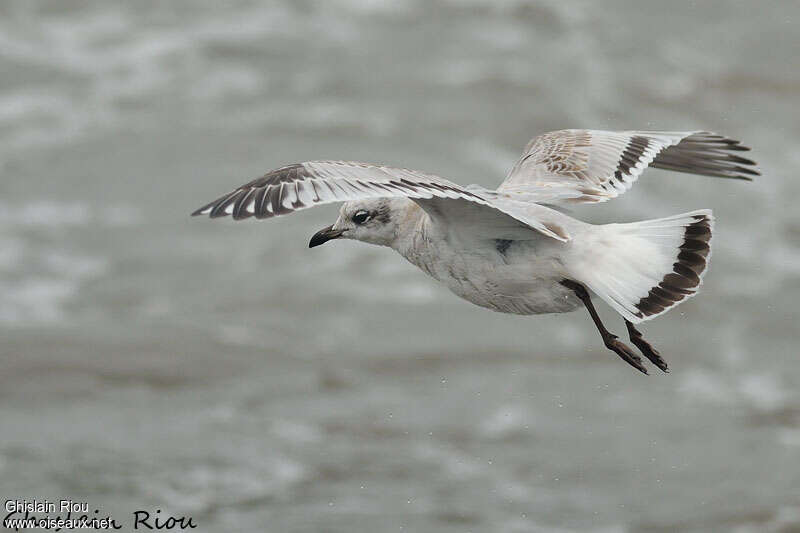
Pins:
<point x="299" y="186"/>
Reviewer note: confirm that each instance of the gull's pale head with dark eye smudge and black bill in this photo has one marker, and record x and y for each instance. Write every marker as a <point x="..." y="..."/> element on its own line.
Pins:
<point x="373" y="220"/>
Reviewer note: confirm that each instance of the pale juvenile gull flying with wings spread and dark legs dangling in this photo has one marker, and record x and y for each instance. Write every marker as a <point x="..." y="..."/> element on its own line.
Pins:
<point x="514" y="249"/>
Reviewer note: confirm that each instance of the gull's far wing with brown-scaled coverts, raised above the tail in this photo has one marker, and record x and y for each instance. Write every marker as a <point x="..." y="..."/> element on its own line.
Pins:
<point x="587" y="166"/>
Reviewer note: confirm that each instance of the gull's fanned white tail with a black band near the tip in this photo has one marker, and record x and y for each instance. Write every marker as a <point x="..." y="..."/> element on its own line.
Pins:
<point x="643" y="269"/>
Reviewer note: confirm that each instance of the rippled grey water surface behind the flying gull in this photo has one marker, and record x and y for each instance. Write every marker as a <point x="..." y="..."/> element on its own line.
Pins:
<point x="223" y="371"/>
